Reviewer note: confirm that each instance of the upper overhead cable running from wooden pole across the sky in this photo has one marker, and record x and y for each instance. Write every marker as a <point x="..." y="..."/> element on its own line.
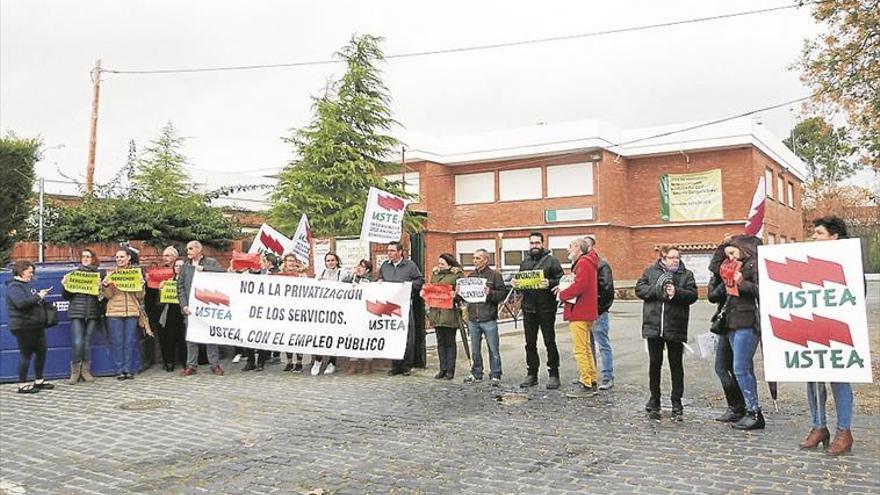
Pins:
<point x="475" y="47"/>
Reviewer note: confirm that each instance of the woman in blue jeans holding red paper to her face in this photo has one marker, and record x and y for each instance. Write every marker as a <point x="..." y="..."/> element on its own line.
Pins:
<point x="740" y="275"/>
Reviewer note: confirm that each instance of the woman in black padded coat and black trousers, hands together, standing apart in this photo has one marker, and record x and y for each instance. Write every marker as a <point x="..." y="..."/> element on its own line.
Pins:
<point x="668" y="289"/>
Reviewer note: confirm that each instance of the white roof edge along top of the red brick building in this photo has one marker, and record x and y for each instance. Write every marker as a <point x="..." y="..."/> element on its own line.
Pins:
<point x="595" y="135"/>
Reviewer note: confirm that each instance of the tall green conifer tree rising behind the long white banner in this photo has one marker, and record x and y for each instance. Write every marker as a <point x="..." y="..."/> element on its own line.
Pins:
<point x="343" y="152"/>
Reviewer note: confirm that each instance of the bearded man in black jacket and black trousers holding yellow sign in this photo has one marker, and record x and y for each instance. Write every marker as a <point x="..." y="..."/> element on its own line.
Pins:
<point x="539" y="311"/>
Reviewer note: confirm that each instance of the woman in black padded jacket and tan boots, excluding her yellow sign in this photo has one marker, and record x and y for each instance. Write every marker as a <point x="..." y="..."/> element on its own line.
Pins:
<point x="85" y="318"/>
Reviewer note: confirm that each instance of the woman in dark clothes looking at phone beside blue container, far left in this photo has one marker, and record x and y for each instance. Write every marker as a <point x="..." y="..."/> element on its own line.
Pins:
<point x="27" y="321"/>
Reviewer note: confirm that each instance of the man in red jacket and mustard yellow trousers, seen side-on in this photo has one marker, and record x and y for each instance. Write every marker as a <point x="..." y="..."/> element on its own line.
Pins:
<point x="580" y="310"/>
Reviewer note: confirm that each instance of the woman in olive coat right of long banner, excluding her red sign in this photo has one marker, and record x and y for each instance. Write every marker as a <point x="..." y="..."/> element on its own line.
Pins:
<point x="445" y="321"/>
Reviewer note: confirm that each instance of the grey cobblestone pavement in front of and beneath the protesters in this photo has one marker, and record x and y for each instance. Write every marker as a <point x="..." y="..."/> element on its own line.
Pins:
<point x="274" y="432"/>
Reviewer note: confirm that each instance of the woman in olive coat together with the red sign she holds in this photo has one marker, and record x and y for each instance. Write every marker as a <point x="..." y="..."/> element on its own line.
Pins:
<point x="443" y="312"/>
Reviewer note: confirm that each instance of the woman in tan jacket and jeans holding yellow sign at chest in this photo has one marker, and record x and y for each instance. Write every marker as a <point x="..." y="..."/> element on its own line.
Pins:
<point x="124" y="291"/>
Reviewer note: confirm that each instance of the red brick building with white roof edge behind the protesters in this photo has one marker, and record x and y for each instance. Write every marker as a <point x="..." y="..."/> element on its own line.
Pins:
<point x="588" y="177"/>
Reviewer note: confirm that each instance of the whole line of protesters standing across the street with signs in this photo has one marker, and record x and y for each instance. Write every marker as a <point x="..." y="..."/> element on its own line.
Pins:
<point x="455" y="298"/>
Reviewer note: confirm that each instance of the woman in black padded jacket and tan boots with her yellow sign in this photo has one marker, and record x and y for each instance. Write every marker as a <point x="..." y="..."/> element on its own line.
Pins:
<point x="81" y="289"/>
